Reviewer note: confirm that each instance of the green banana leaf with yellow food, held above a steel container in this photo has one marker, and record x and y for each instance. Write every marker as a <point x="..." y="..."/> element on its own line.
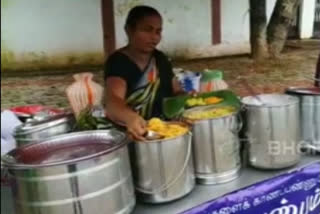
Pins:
<point x="174" y="107"/>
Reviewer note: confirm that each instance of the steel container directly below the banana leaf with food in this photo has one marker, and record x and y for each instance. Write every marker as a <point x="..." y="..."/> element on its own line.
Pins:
<point x="216" y="148"/>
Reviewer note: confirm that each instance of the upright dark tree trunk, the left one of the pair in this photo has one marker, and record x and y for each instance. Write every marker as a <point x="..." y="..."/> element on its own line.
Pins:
<point x="258" y="29"/>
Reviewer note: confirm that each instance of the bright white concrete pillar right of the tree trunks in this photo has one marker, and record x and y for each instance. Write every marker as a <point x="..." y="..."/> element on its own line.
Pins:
<point x="307" y="12"/>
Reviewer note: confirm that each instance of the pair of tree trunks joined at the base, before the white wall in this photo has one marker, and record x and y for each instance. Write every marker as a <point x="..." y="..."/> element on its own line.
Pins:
<point x="269" y="39"/>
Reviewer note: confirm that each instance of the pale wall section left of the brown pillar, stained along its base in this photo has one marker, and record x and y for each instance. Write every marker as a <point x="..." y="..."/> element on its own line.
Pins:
<point x="39" y="34"/>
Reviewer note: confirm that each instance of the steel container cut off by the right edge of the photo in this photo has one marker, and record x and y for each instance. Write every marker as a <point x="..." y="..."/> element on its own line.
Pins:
<point x="310" y="115"/>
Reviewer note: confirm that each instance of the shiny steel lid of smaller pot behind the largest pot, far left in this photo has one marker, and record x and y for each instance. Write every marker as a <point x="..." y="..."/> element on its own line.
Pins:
<point x="44" y="123"/>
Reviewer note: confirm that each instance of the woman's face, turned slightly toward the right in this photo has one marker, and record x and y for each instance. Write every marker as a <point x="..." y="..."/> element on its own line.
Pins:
<point x="146" y="35"/>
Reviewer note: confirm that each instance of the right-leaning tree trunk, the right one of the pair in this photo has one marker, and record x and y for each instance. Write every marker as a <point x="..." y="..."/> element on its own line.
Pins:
<point x="281" y="19"/>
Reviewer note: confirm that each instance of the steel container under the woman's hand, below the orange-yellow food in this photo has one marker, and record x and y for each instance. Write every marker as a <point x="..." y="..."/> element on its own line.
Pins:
<point x="163" y="169"/>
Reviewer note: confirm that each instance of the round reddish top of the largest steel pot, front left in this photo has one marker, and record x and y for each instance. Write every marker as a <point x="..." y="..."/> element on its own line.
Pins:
<point x="65" y="149"/>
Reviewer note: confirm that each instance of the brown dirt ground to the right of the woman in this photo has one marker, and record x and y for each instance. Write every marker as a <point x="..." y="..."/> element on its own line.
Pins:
<point x="296" y="65"/>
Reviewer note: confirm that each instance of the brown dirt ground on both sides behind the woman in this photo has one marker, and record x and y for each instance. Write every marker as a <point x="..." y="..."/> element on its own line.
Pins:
<point x="294" y="68"/>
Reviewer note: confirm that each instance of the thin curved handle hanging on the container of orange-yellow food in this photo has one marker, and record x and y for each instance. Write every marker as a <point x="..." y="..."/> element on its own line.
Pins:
<point x="171" y="183"/>
